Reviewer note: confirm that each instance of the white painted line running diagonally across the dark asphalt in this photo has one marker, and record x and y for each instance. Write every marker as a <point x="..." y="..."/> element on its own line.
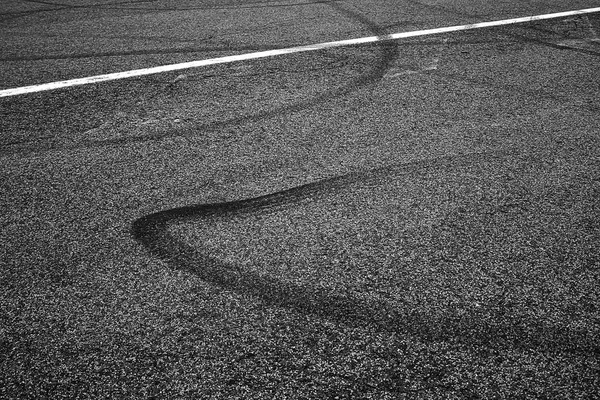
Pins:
<point x="277" y="52"/>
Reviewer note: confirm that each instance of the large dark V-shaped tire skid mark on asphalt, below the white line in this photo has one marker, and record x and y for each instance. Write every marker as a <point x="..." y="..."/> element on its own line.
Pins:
<point x="152" y="231"/>
